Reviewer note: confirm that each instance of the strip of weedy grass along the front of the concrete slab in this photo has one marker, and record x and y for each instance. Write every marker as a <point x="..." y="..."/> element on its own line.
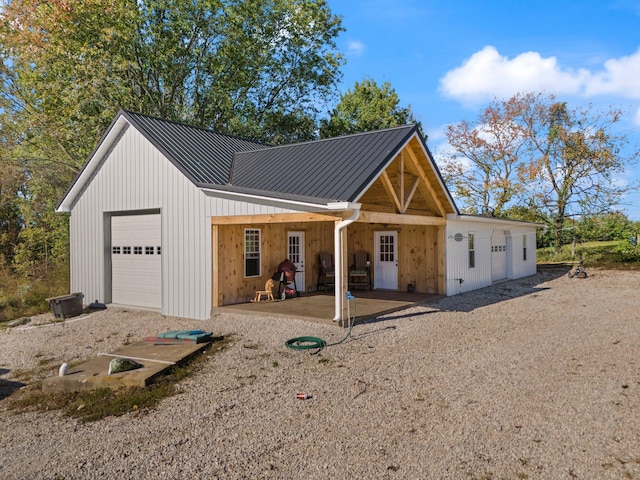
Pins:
<point x="97" y="404"/>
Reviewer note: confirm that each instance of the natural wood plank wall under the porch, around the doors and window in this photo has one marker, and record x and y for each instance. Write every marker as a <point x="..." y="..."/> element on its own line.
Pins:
<point x="420" y="257"/>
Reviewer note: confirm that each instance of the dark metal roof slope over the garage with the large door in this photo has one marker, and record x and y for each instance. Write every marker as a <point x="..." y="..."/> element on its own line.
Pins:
<point x="204" y="156"/>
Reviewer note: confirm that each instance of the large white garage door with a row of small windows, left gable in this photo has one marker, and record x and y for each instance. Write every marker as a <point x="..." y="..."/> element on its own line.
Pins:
<point x="135" y="260"/>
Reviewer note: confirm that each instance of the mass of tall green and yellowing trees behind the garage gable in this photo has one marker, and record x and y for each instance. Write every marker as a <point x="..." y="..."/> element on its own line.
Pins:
<point x="254" y="68"/>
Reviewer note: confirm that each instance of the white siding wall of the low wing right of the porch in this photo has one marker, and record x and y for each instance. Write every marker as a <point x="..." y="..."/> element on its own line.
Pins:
<point x="498" y="252"/>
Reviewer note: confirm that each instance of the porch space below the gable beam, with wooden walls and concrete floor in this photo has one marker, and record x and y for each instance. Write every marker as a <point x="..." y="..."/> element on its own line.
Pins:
<point x="416" y="256"/>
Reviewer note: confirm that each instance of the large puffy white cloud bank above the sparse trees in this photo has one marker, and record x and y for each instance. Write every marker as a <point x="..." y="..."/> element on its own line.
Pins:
<point x="487" y="74"/>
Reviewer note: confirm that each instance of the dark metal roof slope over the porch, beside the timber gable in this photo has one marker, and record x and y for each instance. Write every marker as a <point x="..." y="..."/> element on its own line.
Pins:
<point x="338" y="168"/>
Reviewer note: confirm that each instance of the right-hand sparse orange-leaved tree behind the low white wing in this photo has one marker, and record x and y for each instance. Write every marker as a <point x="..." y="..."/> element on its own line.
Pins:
<point x="577" y="159"/>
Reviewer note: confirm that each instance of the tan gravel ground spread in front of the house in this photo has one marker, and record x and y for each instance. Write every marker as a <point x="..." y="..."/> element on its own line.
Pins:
<point x="535" y="378"/>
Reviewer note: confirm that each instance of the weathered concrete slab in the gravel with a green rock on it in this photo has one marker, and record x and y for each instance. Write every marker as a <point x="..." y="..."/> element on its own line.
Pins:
<point x="94" y="373"/>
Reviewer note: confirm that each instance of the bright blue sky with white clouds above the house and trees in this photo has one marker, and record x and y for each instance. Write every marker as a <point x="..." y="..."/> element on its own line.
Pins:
<point x="448" y="59"/>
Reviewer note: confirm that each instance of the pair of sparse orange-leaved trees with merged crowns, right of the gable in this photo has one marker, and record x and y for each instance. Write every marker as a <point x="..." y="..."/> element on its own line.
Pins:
<point x="533" y="150"/>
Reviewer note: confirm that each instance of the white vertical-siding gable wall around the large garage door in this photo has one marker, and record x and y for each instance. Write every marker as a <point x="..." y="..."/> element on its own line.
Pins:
<point x="135" y="178"/>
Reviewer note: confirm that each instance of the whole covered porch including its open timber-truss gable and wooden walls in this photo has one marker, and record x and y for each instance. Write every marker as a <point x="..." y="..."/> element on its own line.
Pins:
<point x="388" y="236"/>
